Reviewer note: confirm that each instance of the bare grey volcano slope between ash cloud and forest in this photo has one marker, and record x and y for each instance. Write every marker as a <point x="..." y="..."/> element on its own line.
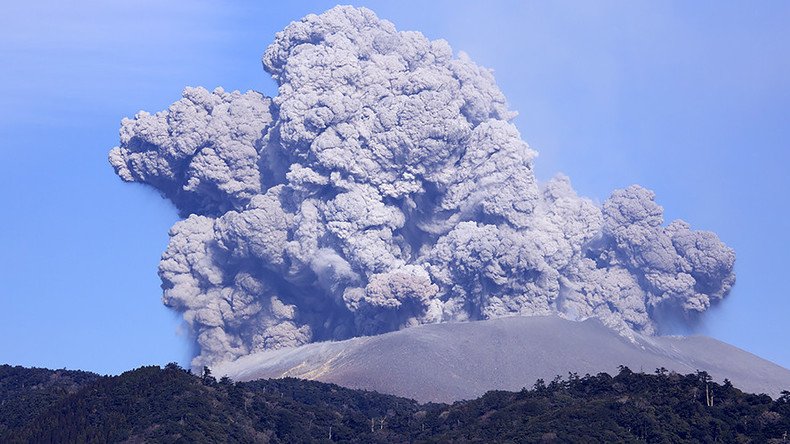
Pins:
<point x="449" y="362"/>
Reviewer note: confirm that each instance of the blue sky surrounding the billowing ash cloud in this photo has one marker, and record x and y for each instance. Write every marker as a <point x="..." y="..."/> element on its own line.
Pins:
<point x="690" y="99"/>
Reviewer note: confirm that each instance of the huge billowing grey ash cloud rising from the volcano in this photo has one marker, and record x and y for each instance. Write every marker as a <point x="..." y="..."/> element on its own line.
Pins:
<point x="384" y="187"/>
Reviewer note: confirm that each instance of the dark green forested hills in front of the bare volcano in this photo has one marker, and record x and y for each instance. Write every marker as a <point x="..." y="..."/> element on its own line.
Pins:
<point x="153" y="404"/>
